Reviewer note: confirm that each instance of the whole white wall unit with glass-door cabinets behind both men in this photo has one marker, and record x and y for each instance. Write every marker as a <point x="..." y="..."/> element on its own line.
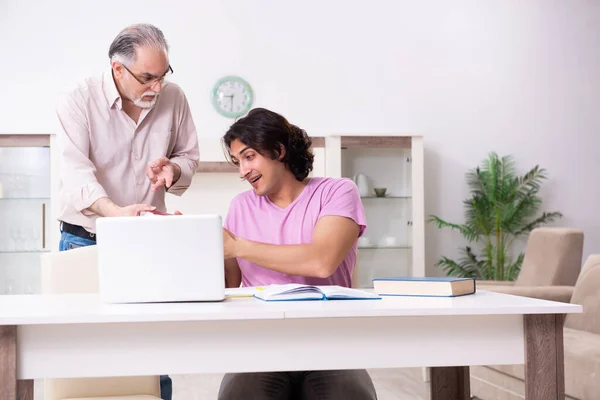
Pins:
<point x="382" y="158"/>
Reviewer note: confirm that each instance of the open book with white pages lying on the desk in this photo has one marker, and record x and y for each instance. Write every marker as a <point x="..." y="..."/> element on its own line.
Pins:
<point x="294" y="291"/>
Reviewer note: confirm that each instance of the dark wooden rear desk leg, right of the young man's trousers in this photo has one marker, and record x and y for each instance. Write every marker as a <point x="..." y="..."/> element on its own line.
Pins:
<point x="450" y="383"/>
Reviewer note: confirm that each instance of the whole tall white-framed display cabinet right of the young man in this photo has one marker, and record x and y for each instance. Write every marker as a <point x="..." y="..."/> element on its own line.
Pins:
<point x="394" y="243"/>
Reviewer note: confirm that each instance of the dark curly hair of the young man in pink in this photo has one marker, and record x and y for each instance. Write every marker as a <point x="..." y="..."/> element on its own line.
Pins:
<point x="268" y="132"/>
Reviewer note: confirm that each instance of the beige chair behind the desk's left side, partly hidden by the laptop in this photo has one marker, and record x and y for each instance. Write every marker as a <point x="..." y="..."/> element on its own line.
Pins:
<point x="76" y="271"/>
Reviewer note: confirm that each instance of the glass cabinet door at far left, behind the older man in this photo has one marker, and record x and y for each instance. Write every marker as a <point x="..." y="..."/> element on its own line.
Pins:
<point x="24" y="216"/>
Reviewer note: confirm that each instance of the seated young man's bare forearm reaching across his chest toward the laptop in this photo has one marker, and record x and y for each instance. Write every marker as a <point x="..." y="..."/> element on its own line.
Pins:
<point x="300" y="259"/>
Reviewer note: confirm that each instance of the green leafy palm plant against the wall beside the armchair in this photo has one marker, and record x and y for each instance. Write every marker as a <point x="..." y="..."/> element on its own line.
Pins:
<point x="502" y="208"/>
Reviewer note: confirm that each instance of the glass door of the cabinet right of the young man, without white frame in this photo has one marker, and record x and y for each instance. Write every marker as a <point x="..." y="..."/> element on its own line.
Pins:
<point x="382" y="173"/>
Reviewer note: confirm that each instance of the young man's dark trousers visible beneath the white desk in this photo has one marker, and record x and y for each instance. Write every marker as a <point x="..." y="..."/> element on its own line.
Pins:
<point x="298" y="385"/>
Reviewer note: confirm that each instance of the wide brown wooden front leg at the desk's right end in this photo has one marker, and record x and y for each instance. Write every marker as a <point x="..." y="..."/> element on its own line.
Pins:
<point x="544" y="357"/>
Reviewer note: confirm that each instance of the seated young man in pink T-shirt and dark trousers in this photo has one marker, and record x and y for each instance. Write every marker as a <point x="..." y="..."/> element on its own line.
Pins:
<point x="289" y="228"/>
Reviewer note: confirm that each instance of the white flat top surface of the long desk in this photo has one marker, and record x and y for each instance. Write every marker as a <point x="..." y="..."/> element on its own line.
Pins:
<point x="88" y="308"/>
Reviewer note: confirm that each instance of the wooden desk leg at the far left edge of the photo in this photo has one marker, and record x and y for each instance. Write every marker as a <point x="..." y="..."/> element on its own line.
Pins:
<point x="8" y="362"/>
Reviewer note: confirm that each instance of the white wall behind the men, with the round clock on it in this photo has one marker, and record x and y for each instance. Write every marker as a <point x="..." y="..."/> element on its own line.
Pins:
<point x="471" y="76"/>
